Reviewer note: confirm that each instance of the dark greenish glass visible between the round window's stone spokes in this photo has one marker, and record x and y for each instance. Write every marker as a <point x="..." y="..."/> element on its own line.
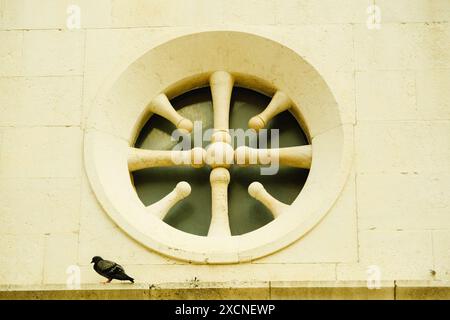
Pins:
<point x="193" y="214"/>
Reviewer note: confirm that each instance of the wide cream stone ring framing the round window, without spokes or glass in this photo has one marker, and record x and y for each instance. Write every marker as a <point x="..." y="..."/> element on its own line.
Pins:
<point x="180" y="65"/>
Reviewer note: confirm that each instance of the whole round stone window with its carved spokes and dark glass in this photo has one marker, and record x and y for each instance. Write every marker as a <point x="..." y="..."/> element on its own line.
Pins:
<point x="218" y="199"/>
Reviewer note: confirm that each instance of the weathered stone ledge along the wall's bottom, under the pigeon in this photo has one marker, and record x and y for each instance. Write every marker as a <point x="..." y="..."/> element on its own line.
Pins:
<point x="345" y="290"/>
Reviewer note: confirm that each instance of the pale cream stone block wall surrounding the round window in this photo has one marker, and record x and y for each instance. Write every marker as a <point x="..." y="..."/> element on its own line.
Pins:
<point x="391" y="83"/>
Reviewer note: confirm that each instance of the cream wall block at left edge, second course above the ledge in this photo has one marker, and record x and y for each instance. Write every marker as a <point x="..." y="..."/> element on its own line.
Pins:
<point x="38" y="206"/>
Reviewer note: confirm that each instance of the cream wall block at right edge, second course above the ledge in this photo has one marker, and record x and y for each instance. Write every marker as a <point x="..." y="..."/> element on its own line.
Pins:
<point x="403" y="201"/>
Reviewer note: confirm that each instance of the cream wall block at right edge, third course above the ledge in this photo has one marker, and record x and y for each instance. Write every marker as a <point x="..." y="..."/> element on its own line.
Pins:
<point x="402" y="147"/>
